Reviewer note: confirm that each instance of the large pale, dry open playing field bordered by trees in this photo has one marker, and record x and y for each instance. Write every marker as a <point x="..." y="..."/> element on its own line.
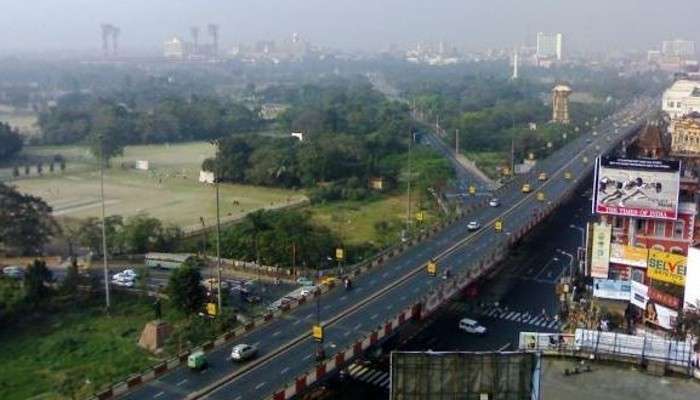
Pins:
<point x="169" y="191"/>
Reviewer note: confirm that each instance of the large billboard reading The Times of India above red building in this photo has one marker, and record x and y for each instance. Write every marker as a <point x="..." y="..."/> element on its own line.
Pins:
<point x="637" y="188"/>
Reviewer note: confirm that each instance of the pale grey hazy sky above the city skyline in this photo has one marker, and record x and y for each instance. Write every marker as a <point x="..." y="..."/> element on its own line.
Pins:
<point x="356" y="24"/>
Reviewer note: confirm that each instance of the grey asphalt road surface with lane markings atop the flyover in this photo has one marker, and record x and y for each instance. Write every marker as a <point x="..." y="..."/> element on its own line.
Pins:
<point x="260" y="380"/>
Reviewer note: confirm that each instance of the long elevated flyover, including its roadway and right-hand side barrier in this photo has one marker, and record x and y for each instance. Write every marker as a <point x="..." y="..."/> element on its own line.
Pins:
<point x="387" y="296"/>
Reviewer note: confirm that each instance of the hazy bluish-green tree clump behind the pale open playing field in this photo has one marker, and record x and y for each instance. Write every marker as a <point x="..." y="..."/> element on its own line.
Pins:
<point x="79" y="118"/>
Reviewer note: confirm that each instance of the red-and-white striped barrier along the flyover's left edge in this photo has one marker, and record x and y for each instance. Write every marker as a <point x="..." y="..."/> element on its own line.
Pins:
<point x="164" y="367"/>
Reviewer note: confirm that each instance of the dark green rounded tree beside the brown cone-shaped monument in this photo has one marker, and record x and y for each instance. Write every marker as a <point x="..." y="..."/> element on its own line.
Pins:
<point x="185" y="289"/>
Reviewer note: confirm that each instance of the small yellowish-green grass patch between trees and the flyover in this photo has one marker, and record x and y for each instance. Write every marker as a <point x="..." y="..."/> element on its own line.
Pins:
<point x="354" y="221"/>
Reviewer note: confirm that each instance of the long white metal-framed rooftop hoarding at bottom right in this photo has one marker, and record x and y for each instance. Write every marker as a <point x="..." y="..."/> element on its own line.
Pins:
<point x="669" y="355"/>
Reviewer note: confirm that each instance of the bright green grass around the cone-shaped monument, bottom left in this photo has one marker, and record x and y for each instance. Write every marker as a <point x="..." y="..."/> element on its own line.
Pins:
<point x="38" y="356"/>
